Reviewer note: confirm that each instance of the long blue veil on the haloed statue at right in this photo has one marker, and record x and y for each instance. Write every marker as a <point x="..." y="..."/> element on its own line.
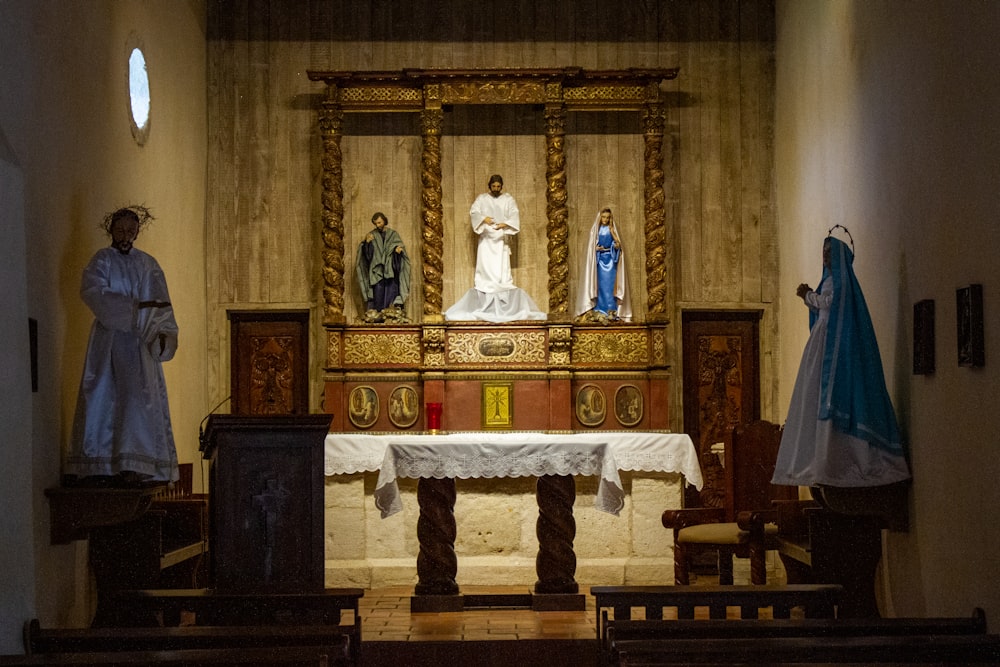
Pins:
<point x="852" y="391"/>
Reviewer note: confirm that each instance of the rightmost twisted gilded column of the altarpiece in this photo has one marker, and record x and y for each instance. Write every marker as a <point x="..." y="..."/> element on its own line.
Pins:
<point x="653" y="121"/>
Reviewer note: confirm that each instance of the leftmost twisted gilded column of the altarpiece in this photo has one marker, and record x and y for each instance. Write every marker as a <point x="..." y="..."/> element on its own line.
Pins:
<point x="331" y="126"/>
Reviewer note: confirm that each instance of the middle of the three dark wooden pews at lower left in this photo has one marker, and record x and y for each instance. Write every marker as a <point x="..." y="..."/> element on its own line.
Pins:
<point x="339" y="643"/>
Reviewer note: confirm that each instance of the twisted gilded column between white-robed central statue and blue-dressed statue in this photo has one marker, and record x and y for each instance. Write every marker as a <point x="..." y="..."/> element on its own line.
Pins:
<point x="557" y="213"/>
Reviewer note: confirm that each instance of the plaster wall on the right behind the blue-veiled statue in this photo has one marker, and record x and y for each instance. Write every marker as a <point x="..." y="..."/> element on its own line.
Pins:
<point x="886" y="124"/>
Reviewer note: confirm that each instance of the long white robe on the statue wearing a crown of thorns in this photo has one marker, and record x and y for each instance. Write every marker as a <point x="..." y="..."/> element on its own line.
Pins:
<point x="122" y="421"/>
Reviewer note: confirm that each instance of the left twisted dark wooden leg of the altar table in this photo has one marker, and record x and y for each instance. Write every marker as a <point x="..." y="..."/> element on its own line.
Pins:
<point x="437" y="564"/>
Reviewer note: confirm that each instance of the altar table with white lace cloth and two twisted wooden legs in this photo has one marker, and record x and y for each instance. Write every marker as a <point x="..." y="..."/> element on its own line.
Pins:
<point x="437" y="459"/>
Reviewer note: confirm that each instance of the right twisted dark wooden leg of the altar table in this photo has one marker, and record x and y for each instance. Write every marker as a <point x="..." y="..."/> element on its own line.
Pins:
<point x="556" y="528"/>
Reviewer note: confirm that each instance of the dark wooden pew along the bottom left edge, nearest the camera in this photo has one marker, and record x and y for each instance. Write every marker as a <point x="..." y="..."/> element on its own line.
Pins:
<point x="283" y="656"/>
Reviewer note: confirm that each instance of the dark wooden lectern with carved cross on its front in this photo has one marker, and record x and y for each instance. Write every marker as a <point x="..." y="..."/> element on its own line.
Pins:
<point x="266" y="502"/>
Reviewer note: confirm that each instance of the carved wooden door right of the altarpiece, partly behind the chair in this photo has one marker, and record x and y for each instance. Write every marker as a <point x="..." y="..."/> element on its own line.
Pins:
<point x="721" y="370"/>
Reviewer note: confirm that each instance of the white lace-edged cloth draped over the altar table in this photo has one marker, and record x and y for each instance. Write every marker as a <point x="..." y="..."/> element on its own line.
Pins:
<point x="511" y="454"/>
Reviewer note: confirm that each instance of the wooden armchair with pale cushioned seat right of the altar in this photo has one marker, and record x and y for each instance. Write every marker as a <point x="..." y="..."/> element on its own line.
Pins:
<point x="744" y="526"/>
